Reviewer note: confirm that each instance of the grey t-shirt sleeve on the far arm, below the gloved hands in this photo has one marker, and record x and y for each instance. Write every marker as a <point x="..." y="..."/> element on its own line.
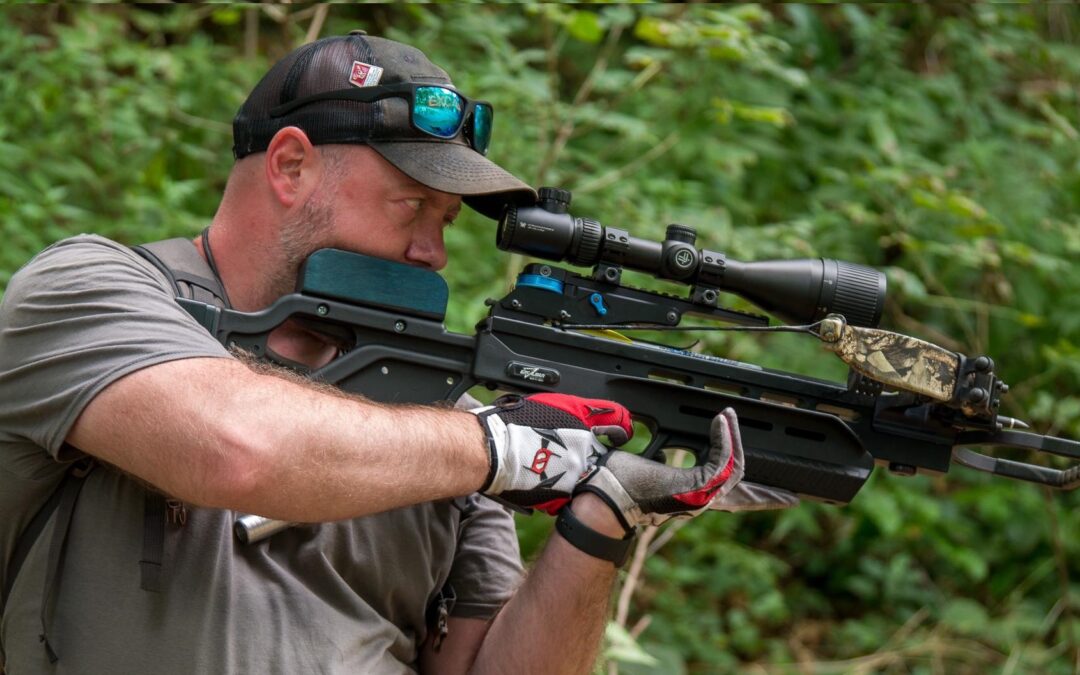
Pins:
<point x="488" y="569"/>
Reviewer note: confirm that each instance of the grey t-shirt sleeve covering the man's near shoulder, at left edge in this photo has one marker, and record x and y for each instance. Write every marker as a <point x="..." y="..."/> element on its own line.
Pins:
<point x="82" y="315"/>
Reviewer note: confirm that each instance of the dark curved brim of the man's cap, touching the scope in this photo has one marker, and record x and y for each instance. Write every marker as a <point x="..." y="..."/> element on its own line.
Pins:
<point x="458" y="170"/>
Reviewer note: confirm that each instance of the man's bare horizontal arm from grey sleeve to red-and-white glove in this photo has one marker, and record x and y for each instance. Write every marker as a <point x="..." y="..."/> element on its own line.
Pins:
<point x="215" y="434"/>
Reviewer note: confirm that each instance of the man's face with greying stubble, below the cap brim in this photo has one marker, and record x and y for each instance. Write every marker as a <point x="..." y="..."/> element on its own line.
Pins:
<point x="369" y="207"/>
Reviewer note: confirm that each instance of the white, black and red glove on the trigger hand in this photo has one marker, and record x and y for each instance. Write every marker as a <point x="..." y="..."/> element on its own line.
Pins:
<point x="542" y="445"/>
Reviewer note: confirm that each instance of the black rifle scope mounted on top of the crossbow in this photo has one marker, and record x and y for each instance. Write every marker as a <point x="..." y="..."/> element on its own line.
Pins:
<point x="800" y="291"/>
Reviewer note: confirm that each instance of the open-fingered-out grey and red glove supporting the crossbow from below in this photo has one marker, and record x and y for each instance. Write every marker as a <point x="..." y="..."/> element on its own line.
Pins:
<point x="643" y="492"/>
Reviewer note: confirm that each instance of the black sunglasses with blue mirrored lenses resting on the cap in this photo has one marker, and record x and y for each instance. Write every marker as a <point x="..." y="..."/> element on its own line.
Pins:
<point x="439" y="112"/>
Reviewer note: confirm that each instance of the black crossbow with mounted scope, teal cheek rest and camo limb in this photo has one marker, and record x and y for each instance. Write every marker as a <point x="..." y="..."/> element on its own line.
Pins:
<point x="909" y="406"/>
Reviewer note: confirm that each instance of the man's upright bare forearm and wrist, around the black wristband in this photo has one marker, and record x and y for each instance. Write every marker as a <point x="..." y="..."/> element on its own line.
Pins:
<point x="556" y="622"/>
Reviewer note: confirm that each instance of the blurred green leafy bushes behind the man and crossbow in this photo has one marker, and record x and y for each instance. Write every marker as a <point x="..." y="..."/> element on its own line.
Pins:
<point x="937" y="143"/>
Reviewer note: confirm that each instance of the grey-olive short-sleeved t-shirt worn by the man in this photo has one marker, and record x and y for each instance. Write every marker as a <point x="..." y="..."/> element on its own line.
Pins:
<point x="341" y="598"/>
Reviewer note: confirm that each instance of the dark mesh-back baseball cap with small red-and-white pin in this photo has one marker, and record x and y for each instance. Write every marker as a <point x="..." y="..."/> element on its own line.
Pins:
<point x="359" y="60"/>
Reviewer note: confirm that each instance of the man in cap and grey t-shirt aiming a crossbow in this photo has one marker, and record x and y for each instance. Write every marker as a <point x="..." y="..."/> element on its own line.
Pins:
<point x="355" y="143"/>
